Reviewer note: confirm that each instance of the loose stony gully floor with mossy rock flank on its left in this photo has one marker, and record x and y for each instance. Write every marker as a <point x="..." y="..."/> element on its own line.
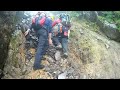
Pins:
<point x="19" y="64"/>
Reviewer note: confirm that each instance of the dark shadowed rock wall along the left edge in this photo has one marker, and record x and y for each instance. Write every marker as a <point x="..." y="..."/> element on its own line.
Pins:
<point x="8" y="20"/>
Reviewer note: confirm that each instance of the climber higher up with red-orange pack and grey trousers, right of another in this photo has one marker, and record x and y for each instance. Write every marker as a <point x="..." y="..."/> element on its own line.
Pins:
<point x="61" y="37"/>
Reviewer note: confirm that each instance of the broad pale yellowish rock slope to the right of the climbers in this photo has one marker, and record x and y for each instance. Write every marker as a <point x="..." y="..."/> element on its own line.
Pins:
<point x="93" y="55"/>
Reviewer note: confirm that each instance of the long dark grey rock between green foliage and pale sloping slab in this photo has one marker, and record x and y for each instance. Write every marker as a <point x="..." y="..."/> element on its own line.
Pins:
<point x="110" y="30"/>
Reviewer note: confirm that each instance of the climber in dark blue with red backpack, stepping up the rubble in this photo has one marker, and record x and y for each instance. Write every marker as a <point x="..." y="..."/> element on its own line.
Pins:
<point x="43" y="27"/>
